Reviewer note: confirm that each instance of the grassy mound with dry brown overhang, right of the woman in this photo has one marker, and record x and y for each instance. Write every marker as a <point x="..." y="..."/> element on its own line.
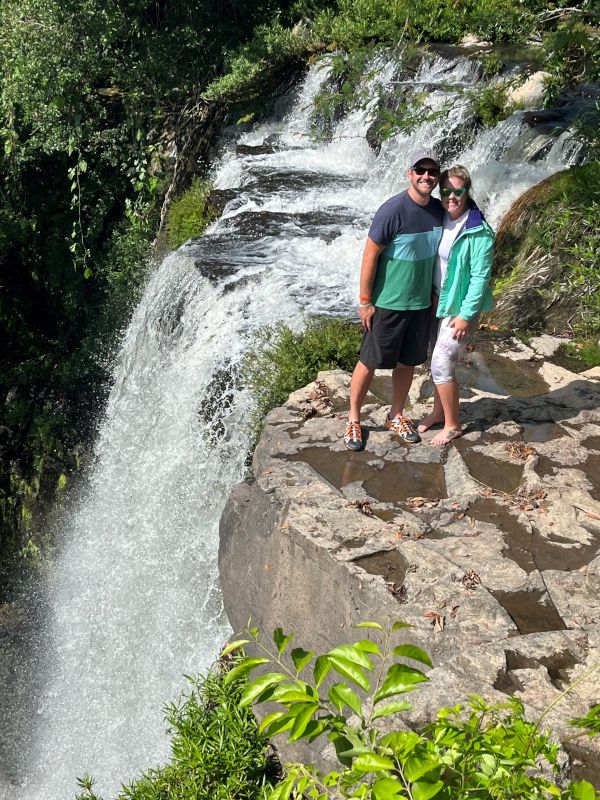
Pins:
<point x="547" y="262"/>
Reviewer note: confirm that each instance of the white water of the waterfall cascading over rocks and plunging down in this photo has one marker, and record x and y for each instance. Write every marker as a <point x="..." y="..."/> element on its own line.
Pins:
<point x="133" y="599"/>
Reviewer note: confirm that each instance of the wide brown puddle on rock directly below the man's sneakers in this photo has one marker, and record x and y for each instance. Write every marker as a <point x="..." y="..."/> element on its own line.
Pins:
<point x="395" y="481"/>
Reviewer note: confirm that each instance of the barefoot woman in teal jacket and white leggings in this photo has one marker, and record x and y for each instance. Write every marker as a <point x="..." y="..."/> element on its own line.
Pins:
<point x="462" y="283"/>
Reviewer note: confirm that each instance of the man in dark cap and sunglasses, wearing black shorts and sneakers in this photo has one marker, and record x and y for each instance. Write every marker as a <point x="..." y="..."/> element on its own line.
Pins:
<point x="395" y="295"/>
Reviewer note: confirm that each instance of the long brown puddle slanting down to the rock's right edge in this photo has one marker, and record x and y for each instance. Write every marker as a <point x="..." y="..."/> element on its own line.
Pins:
<point x="533" y="551"/>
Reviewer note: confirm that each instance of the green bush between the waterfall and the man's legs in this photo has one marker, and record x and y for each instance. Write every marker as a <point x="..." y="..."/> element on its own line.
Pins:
<point x="282" y="361"/>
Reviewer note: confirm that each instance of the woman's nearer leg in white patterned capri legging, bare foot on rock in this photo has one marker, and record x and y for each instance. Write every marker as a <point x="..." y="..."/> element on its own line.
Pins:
<point x="443" y="368"/>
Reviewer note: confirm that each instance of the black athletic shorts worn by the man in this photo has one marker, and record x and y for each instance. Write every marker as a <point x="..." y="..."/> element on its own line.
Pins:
<point x="396" y="337"/>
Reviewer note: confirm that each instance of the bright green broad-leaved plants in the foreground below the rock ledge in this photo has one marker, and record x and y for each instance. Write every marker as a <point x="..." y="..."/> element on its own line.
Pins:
<point x="483" y="750"/>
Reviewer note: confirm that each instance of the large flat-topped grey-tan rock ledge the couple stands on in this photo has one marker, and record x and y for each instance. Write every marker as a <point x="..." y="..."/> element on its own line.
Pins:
<point x="489" y="547"/>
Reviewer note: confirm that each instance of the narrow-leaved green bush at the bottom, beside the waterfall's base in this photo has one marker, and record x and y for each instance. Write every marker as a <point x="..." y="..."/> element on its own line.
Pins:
<point x="217" y="752"/>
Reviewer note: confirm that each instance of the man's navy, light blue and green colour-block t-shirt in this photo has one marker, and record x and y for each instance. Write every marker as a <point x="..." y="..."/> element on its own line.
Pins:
<point x="411" y="234"/>
